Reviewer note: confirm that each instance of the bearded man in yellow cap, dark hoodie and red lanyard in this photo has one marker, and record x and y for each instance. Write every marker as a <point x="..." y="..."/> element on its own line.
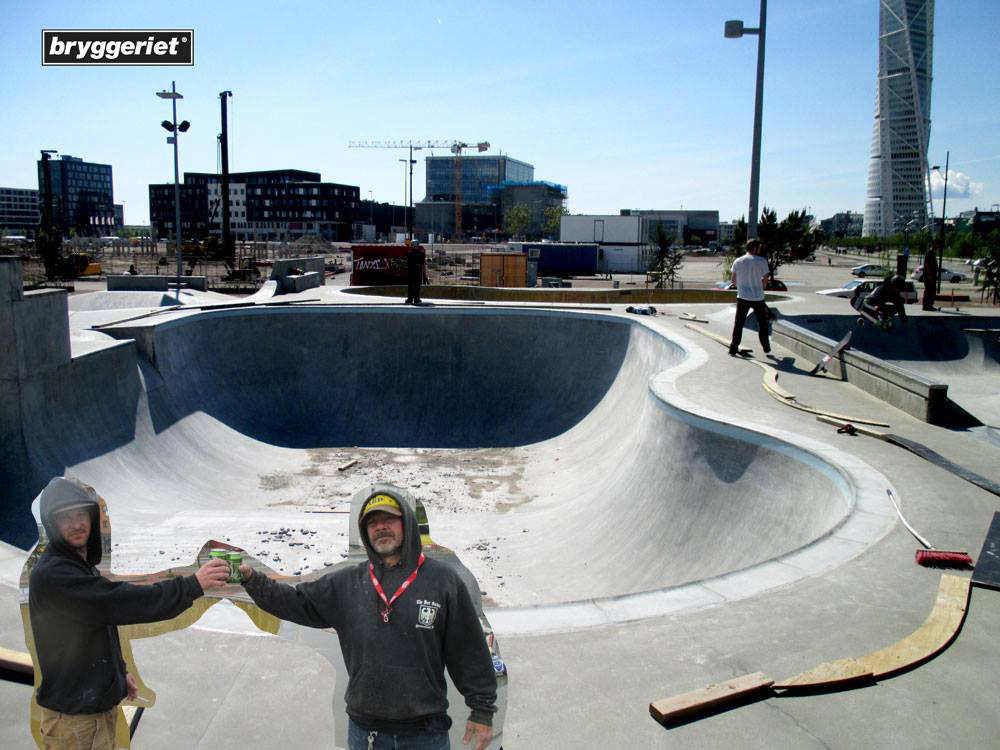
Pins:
<point x="401" y="619"/>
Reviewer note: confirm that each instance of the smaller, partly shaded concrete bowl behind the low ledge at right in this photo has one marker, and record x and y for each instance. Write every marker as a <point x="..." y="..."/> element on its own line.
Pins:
<point x="961" y="351"/>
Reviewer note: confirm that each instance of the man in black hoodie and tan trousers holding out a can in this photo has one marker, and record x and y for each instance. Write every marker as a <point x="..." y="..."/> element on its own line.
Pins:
<point x="75" y="612"/>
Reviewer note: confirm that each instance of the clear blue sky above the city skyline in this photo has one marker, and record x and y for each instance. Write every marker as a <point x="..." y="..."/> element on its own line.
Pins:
<point x="628" y="104"/>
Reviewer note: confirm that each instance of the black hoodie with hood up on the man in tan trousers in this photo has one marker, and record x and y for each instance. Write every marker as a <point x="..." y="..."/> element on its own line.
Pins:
<point x="74" y="612"/>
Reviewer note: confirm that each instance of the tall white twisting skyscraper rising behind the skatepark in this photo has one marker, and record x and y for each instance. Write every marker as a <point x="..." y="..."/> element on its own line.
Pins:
<point x="897" y="176"/>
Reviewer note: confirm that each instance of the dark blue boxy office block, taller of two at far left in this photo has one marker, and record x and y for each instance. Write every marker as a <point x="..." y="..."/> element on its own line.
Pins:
<point x="82" y="197"/>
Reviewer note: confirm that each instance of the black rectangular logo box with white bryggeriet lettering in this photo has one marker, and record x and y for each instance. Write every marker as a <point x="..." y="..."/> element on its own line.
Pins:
<point x="117" y="47"/>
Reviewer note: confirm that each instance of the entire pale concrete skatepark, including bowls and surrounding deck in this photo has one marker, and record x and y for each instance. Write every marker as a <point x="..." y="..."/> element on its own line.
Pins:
<point x="642" y="516"/>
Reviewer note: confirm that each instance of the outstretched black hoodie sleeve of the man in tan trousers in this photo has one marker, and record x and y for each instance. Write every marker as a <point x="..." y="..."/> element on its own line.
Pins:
<point x="95" y="600"/>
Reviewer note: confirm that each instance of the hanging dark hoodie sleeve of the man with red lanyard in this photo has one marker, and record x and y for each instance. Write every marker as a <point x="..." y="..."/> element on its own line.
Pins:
<point x="469" y="662"/>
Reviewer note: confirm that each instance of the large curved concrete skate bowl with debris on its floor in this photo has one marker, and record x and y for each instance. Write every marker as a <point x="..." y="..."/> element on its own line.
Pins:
<point x="609" y="489"/>
